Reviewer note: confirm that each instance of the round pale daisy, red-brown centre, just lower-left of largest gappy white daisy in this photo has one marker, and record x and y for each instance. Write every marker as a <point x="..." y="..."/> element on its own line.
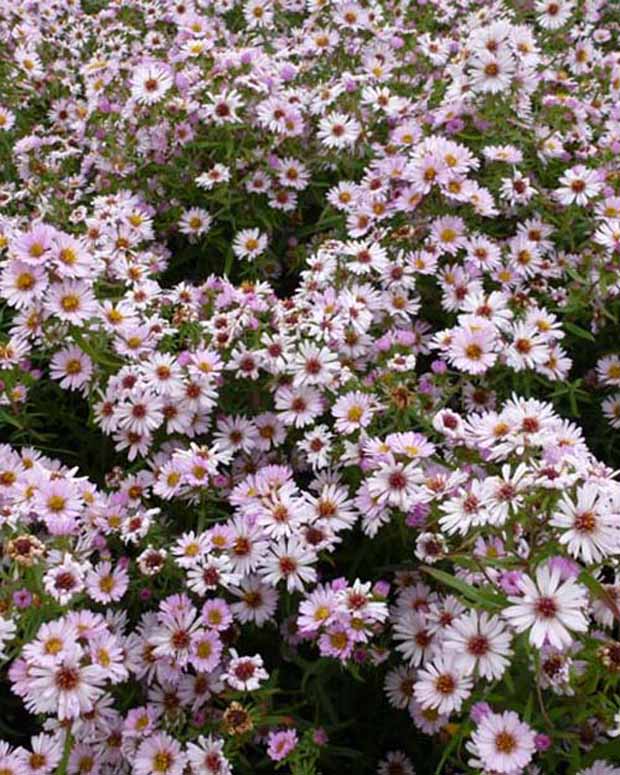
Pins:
<point x="480" y="643"/>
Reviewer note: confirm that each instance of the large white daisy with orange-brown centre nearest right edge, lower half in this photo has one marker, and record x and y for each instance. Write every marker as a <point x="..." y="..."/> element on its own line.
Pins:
<point x="592" y="530"/>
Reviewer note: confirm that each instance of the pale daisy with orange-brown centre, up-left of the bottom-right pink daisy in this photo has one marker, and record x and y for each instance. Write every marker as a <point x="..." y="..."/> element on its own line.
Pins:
<point x="442" y="686"/>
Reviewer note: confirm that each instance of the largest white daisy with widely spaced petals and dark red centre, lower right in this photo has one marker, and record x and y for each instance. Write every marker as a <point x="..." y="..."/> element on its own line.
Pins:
<point x="549" y="609"/>
